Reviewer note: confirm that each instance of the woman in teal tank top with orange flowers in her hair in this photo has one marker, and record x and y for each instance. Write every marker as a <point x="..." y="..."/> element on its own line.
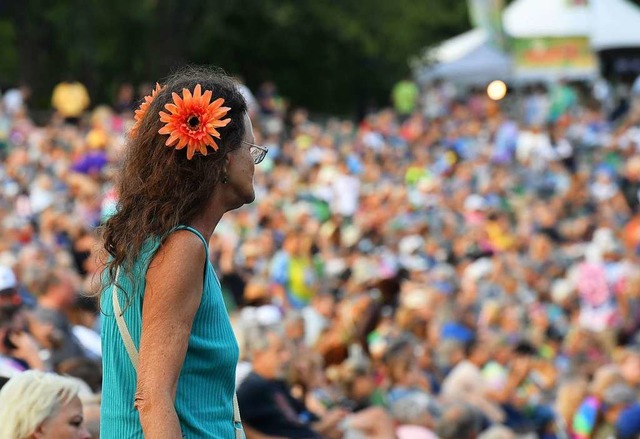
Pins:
<point x="169" y="363"/>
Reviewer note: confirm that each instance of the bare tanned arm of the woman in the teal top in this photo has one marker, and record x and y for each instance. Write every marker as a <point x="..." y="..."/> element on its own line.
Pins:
<point x="172" y="297"/>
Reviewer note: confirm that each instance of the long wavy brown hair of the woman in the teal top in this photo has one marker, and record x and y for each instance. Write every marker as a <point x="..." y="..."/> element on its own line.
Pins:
<point x="158" y="187"/>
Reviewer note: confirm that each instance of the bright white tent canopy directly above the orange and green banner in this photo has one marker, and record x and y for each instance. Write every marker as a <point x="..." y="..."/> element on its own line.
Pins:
<point x="548" y="18"/>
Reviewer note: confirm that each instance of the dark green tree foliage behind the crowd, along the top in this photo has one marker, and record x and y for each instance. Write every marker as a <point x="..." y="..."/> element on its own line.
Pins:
<point x="329" y="55"/>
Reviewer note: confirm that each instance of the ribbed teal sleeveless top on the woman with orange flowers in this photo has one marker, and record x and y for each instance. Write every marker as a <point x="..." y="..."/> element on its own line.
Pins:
<point x="206" y="385"/>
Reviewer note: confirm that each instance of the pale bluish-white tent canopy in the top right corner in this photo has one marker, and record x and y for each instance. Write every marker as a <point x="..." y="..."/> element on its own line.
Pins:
<point x="615" y="24"/>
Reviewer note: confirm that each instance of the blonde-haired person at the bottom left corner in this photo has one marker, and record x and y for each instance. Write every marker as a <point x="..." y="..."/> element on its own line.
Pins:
<point x="39" y="405"/>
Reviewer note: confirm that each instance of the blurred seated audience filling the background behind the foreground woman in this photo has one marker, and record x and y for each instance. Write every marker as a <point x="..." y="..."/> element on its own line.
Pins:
<point x="449" y="267"/>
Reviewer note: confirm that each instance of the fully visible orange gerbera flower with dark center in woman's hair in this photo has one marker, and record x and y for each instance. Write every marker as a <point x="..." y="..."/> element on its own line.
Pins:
<point x="192" y="121"/>
